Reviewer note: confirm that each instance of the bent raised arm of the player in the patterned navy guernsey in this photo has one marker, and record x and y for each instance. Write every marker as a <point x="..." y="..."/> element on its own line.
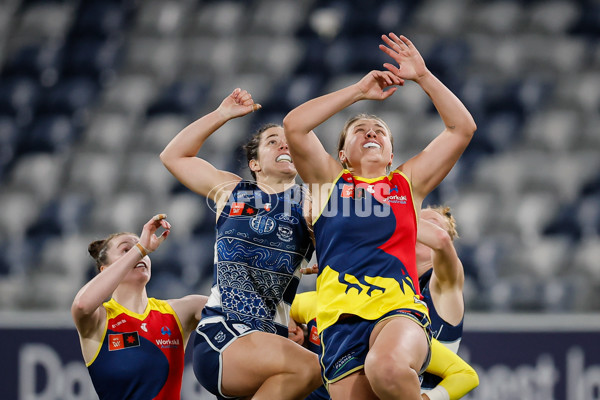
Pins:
<point x="180" y="154"/>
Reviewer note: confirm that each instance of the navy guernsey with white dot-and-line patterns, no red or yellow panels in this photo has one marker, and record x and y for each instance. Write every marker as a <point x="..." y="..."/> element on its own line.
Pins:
<point x="262" y="241"/>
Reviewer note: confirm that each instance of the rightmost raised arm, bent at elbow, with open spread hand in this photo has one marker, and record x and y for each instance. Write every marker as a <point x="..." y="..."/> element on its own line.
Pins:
<point x="430" y="167"/>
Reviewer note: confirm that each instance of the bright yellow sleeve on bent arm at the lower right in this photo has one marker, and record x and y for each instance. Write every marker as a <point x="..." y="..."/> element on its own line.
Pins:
<point x="458" y="377"/>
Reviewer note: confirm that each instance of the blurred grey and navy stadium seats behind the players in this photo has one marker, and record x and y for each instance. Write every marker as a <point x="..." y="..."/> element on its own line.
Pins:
<point x="92" y="90"/>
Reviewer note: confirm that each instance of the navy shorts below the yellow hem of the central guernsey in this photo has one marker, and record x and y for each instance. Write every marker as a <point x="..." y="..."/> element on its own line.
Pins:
<point x="345" y="344"/>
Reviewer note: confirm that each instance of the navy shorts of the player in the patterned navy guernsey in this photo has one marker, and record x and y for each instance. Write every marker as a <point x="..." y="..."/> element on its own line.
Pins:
<point x="211" y="341"/>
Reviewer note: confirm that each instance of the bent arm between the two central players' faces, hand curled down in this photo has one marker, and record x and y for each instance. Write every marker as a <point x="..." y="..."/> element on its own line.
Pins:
<point x="311" y="159"/>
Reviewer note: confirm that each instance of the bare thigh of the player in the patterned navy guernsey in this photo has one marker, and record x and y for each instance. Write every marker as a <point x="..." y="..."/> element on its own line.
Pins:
<point x="253" y="358"/>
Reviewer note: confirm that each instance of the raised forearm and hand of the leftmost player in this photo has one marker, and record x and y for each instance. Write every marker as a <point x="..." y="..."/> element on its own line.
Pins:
<point x="86" y="309"/>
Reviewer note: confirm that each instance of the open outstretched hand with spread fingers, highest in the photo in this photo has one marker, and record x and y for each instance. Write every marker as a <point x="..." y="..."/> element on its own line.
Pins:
<point x="411" y="65"/>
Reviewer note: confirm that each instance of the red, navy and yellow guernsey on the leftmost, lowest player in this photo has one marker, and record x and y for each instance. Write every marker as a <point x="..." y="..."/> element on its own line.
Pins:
<point x="141" y="355"/>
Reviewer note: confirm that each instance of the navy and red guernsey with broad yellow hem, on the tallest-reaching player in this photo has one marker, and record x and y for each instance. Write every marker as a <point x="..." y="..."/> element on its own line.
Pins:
<point x="365" y="243"/>
